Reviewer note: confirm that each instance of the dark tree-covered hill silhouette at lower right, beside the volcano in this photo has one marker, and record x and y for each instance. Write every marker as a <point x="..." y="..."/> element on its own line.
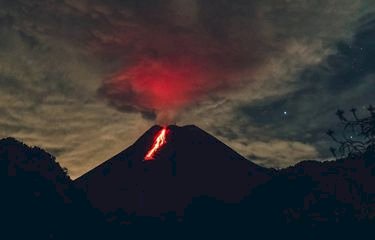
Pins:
<point x="332" y="197"/>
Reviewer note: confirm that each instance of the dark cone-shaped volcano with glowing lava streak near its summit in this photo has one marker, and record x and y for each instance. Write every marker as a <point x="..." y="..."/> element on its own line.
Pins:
<point x="191" y="164"/>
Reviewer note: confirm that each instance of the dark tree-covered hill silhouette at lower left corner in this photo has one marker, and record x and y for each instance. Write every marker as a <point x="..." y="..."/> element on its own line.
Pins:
<point x="38" y="199"/>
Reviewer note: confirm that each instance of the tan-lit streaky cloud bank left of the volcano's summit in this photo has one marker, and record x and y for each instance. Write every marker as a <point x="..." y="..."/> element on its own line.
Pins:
<point x="48" y="99"/>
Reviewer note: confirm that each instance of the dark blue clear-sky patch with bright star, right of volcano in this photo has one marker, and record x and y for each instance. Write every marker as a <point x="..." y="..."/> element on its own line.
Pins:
<point x="344" y="79"/>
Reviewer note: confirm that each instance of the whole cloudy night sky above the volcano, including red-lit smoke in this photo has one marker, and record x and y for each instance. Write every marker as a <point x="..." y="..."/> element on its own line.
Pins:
<point x="84" y="79"/>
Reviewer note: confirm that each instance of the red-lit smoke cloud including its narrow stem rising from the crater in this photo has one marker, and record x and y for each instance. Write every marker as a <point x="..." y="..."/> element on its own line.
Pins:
<point x="166" y="85"/>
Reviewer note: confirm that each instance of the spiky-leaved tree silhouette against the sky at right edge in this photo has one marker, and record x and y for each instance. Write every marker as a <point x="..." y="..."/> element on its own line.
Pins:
<point x="357" y="135"/>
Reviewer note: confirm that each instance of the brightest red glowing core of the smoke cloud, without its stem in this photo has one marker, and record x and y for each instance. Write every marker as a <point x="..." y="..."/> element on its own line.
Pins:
<point x="164" y="85"/>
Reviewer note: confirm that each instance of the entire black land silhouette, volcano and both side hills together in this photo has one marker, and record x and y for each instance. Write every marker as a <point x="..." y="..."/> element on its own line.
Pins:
<point x="196" y="186"/>
